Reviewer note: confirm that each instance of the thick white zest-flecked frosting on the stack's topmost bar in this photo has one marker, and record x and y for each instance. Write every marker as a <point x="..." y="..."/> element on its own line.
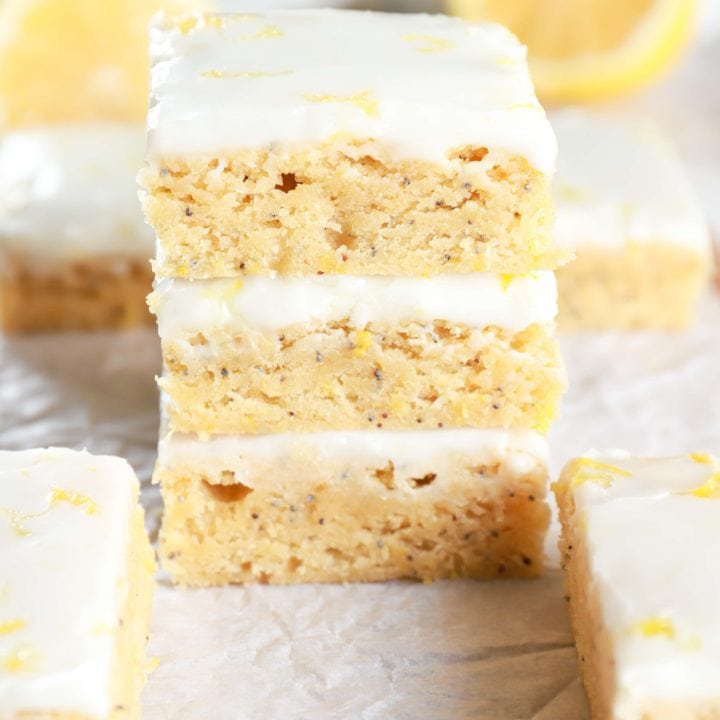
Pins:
<point x="418" y="84"/>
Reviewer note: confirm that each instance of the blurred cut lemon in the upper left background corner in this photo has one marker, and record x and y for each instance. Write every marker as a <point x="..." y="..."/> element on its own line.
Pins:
<point x="75" y="60"/>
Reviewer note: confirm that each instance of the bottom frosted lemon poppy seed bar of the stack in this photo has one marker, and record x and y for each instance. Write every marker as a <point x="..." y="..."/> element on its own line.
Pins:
<point x="353" y="506"/>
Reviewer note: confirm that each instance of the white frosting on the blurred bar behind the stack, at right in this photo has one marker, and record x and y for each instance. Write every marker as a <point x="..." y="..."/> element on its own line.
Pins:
<point x="621" y="181"/>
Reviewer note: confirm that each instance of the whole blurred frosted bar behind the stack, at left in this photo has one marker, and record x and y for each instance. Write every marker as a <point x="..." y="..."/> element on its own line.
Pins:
<point x="74" y="248"/>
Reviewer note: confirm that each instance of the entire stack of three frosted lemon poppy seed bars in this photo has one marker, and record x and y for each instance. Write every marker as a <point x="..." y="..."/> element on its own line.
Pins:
<point x="355" y="295"/>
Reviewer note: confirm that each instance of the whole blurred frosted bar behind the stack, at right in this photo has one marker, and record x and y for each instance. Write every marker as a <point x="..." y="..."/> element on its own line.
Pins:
<point x="626" y="206"/>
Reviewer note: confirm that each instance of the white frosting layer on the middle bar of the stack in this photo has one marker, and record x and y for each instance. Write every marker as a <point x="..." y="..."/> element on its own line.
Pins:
<point x="474" y="299"/>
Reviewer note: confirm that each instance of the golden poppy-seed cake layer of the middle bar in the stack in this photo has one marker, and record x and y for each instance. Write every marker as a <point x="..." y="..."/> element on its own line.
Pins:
<point x="393" y="376"/>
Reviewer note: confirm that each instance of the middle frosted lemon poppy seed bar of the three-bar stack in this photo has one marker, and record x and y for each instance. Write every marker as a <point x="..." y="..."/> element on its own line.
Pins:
<point x="338" y="352"/>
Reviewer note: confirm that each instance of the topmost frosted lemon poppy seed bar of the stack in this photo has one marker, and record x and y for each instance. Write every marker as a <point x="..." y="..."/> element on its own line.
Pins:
<point x="278" y="143"/>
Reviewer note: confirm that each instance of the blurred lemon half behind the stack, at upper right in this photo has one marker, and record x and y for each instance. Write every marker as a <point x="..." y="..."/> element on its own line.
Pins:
<point x="591" y="49"/>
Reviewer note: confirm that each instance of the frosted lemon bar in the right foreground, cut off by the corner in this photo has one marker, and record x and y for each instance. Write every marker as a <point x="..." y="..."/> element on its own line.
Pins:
<point x="640" y="545"/>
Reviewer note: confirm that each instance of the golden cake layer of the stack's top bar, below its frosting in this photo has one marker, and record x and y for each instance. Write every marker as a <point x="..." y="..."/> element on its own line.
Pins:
<point x="333" y="208"/>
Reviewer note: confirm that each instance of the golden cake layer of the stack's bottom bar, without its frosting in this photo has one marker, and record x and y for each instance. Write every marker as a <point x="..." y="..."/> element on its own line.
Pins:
<point x="323" y="522"/>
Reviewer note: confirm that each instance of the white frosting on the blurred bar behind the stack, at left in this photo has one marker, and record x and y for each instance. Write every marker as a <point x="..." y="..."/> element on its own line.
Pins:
<point x="68" y="192"/>
